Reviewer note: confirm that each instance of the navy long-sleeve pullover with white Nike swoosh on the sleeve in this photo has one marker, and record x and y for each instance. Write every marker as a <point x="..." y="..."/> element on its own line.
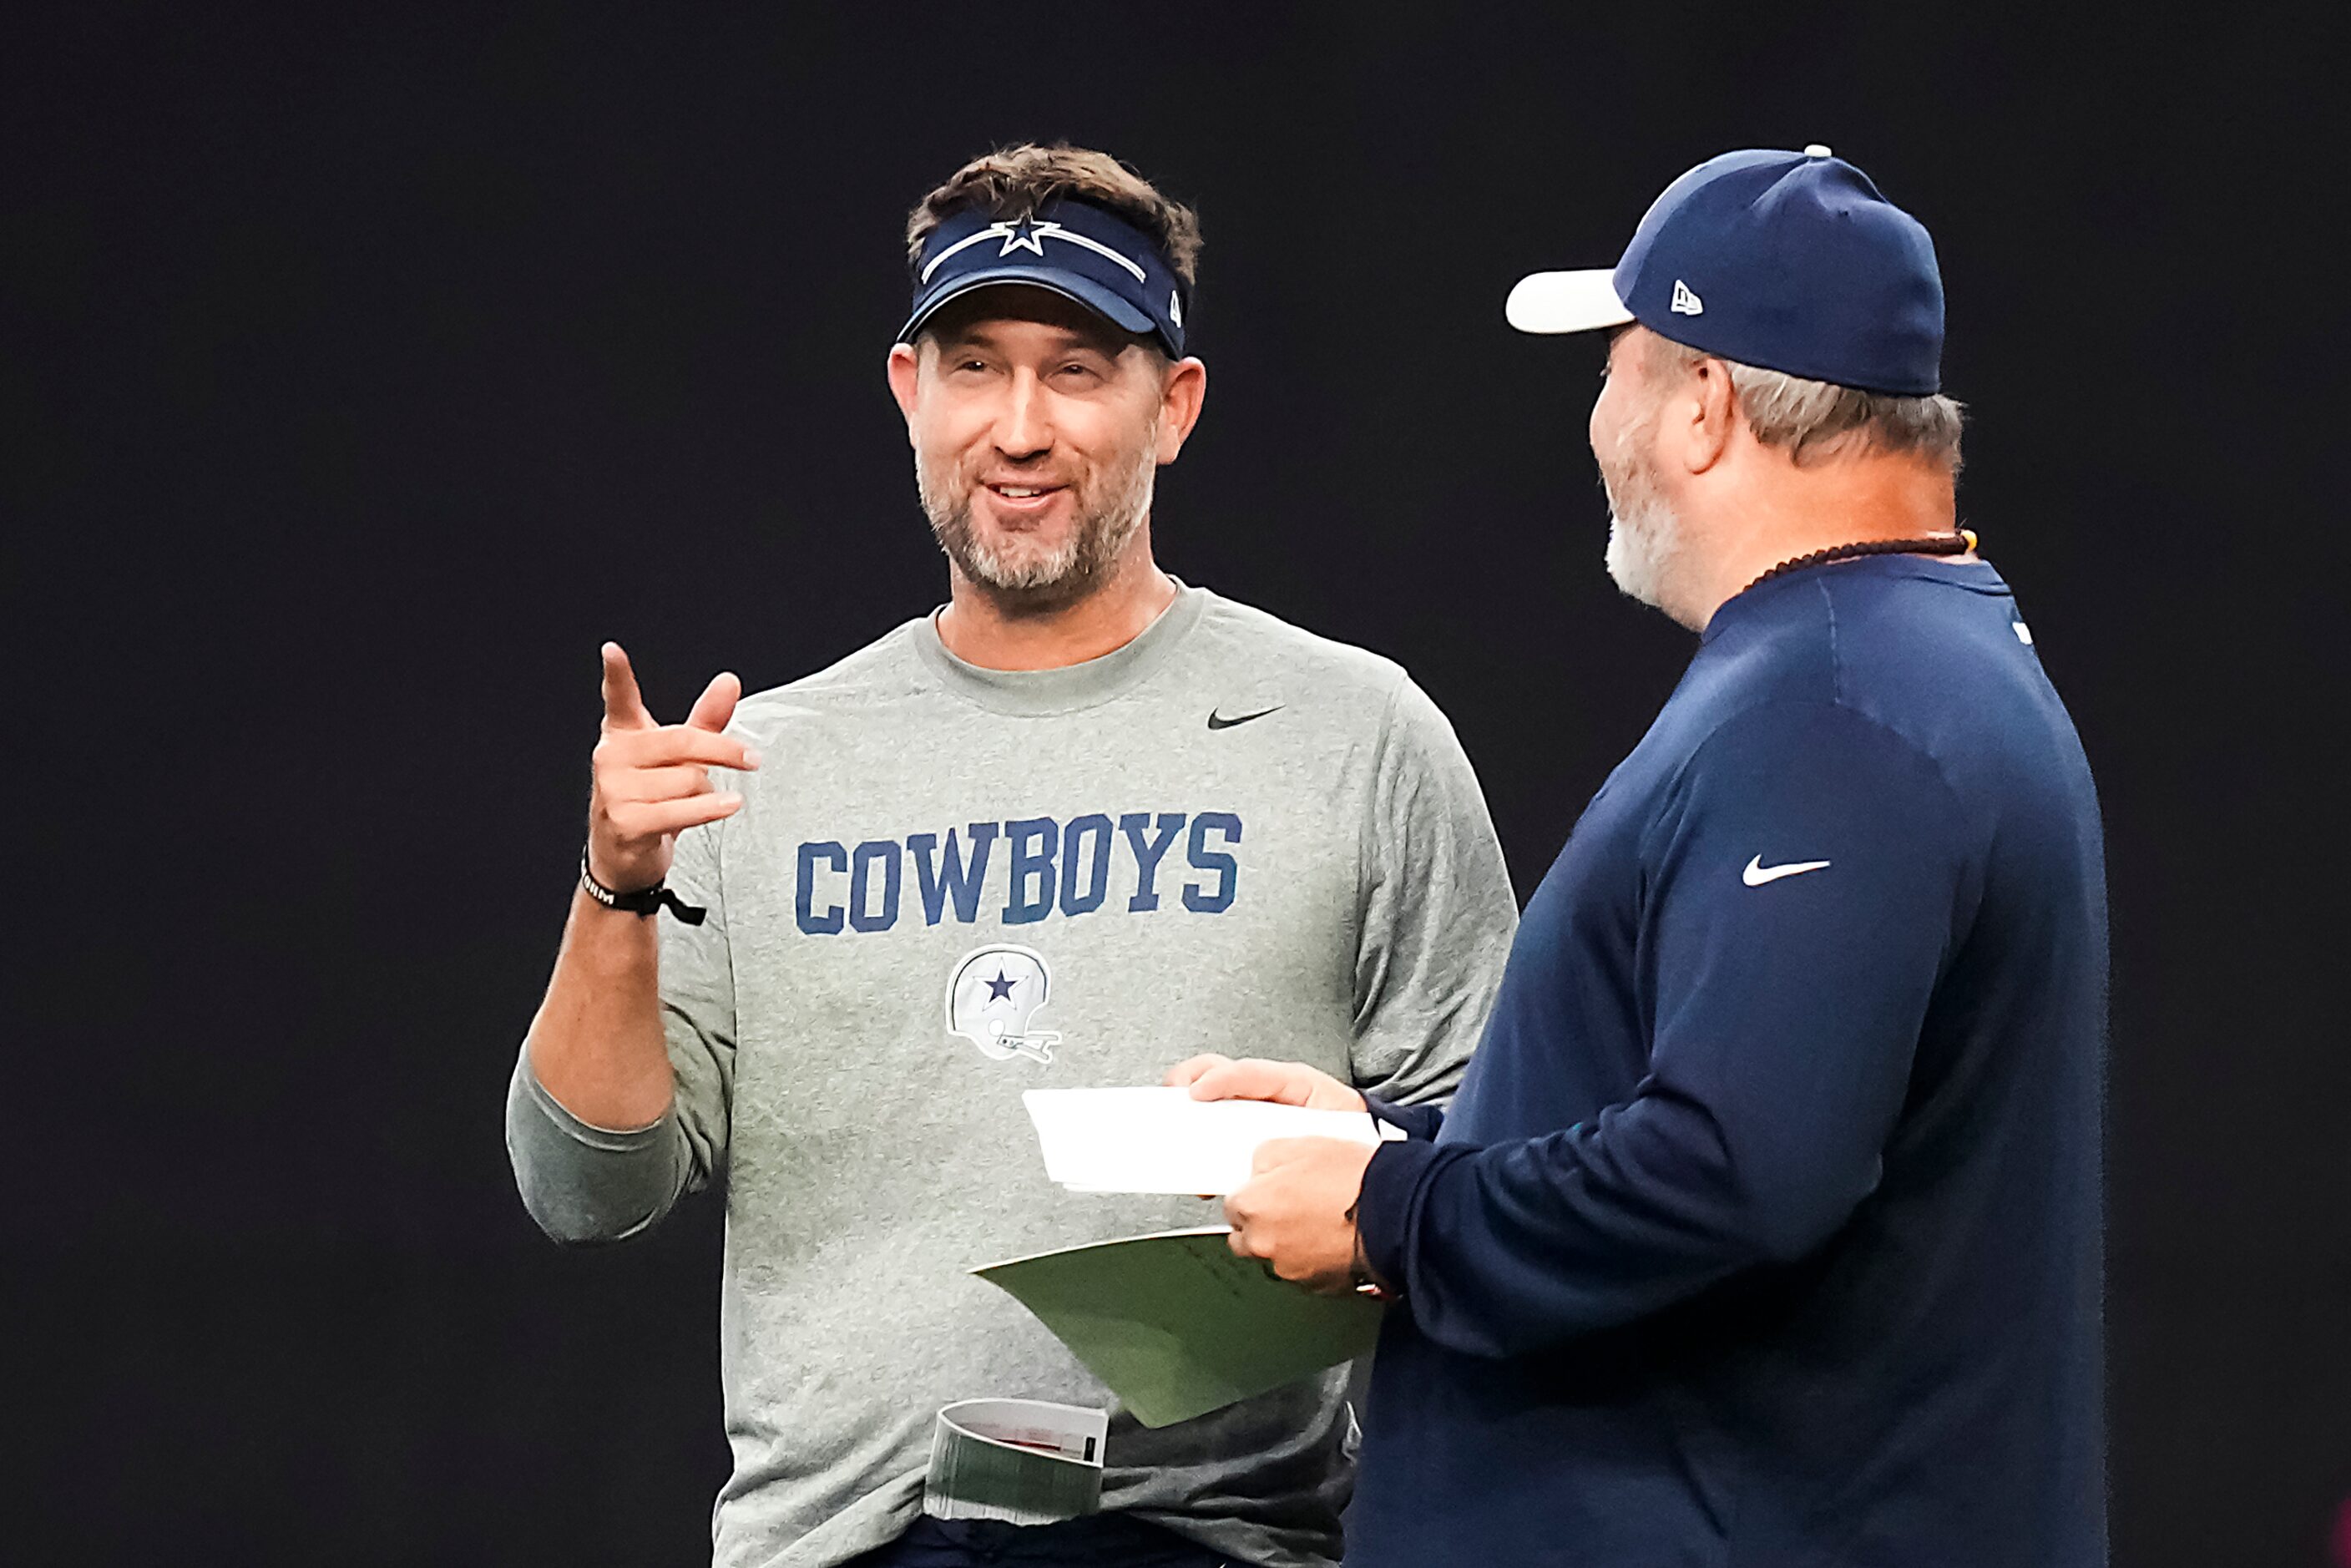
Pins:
<point x="1767" y="1224"/>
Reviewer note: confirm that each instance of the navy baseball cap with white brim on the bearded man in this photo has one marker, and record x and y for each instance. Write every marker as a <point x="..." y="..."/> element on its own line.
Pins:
<point x="1790" y="262"/>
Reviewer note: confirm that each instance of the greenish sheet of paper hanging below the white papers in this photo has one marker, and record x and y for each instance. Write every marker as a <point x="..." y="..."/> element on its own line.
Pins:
<point x="1181" y="1327"/>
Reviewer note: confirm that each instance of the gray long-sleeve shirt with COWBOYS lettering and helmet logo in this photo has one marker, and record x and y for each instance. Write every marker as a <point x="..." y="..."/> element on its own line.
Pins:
<point x="951" y="885"/>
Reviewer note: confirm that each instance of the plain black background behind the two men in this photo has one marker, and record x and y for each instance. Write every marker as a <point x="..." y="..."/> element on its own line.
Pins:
<point x="366" y="370"/>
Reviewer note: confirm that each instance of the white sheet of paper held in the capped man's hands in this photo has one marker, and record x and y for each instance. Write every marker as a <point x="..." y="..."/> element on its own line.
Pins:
<point x="1167" y="1141"/>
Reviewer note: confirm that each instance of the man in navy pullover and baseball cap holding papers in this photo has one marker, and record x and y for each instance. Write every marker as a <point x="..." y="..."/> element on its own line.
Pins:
<point x="1767" y="1224"/>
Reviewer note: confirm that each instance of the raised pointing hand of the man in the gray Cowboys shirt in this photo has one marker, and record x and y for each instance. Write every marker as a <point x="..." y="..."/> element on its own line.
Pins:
<point x="652" y="782"/>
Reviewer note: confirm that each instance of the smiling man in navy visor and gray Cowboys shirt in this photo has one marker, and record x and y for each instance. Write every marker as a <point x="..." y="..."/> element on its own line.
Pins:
<point x="1069" y="826"/>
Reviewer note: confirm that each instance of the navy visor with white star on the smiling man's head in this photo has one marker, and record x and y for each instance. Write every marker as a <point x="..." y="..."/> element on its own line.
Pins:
<point x="1066" y="246"/>
